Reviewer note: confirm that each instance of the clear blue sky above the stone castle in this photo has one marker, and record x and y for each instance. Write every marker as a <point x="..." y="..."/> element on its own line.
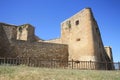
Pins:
<point x="46" y="16"/>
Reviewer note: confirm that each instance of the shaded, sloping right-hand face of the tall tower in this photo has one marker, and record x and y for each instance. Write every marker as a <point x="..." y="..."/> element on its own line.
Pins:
<point x="99" y="50"/>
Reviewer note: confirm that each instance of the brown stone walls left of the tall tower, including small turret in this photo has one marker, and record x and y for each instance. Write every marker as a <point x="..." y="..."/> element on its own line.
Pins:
<point x="12" y="44"/>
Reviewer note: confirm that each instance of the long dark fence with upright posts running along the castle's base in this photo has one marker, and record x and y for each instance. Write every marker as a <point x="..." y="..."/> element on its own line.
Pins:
<point x="82" y="65"/>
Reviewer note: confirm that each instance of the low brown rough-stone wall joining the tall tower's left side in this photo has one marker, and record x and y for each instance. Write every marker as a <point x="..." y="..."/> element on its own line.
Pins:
<point x="45" y="51"/>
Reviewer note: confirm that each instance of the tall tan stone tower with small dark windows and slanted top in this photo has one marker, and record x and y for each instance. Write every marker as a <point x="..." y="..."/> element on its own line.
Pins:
<point x="82" y="35"/>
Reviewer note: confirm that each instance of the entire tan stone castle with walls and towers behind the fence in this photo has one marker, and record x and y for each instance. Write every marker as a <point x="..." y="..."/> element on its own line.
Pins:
<point x="80" y="40"/>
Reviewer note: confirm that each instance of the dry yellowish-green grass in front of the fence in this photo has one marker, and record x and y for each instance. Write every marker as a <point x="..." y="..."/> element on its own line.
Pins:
<point x="32" y="73"/>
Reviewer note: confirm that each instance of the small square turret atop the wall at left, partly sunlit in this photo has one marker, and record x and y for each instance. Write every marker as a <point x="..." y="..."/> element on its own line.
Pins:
<point x="25" y="32"/>
